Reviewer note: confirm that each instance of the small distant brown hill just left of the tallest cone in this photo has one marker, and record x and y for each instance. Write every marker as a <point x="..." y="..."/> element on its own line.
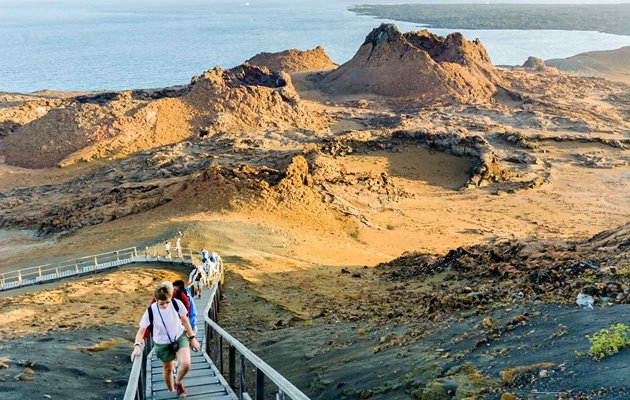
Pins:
<point x="294" y="60"/>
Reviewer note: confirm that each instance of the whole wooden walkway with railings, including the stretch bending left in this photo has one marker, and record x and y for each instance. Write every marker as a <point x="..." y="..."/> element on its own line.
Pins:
<point x="223" y="369"/>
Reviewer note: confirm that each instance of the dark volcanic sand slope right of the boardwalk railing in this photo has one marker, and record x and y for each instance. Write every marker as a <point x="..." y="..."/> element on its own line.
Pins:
<point x="360" y="360"/>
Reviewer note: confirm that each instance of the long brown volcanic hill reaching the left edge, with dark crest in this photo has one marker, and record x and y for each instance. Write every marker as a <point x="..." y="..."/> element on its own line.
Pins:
<point x="82" y="128"/>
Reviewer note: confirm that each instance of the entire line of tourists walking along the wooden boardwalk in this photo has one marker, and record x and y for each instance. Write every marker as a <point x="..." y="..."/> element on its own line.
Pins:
<point x="171" y="319"/>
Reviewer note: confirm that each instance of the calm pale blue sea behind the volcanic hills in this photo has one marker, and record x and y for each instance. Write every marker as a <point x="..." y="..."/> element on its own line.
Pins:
<point x="115" y="44"/>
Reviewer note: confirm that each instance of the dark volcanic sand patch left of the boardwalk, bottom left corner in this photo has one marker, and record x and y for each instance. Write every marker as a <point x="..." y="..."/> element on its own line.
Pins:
<point x="61" y="373"/>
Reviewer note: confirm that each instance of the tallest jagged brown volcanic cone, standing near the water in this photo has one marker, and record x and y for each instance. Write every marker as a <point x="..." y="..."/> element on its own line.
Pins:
<point x="416" y="65"/>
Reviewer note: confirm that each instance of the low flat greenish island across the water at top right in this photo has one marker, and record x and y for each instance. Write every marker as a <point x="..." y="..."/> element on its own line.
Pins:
<point x="607" y="18"/>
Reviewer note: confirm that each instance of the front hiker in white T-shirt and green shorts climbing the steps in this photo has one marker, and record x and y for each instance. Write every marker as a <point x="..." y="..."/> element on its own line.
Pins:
<point x="172" y="334"/>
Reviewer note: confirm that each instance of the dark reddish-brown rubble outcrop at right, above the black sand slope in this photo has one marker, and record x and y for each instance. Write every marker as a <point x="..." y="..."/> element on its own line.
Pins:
<point x="521" y="271"/>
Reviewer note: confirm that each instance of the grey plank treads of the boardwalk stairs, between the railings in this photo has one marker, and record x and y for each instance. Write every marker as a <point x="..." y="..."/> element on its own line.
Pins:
<point x="203" y="381"/>
